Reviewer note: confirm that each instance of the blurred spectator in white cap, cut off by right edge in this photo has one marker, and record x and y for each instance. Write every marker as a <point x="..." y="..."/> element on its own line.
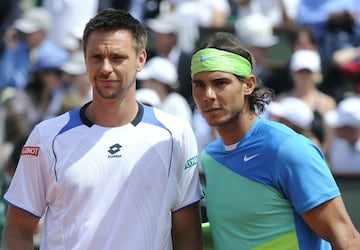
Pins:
<point x="344" y="153"/>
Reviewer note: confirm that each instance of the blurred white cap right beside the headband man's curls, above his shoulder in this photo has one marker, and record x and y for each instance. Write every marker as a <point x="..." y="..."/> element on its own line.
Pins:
<point x="294" y="110"/>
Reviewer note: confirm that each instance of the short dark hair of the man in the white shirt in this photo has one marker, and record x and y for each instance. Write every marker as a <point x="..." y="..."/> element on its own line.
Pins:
<point x="117" y="19"/>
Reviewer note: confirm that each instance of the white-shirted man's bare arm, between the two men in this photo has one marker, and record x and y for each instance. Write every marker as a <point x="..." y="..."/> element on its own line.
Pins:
<point x="186" y="228"/>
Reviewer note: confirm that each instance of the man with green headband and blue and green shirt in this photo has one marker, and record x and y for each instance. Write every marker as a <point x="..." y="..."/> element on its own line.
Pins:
<point x="267" y="187"/>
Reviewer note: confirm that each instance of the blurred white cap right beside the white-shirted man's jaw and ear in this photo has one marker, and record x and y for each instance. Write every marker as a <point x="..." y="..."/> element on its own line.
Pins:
<point x="160" y="69"/>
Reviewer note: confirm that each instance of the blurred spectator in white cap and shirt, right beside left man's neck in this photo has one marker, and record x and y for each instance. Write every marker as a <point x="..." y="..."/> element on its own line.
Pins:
<point x="160" y="75"/>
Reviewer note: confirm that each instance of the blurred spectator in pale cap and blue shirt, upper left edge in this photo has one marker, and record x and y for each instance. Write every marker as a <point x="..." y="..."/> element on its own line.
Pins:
<point x="26" y="42"/>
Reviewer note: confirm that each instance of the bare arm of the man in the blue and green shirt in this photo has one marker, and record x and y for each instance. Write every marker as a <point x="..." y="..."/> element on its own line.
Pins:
<point x="331" y="222"/>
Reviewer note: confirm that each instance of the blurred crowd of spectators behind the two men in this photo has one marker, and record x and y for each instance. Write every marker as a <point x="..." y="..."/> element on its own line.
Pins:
<point x="316" y="83"/>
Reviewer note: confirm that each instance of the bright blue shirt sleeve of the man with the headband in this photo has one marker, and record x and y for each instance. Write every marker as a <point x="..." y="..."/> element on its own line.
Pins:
<point x="303" y="174"/>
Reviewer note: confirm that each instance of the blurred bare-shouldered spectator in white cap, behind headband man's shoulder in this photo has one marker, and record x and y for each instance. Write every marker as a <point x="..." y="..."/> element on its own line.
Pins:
<point x="305" y="69"/>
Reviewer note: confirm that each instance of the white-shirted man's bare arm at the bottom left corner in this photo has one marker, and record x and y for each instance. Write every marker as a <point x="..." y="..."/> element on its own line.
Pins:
<point x="19" y="229"/>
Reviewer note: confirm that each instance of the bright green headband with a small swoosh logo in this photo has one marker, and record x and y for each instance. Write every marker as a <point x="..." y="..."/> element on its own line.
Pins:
<point x="211" y="59"/>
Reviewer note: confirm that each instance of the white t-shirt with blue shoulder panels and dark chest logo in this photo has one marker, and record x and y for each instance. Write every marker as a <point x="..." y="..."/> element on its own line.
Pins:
<point x="107" y="188"/>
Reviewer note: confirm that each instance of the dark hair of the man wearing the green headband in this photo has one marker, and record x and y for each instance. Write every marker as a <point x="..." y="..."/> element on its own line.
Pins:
<point x="229" y="42"/>
